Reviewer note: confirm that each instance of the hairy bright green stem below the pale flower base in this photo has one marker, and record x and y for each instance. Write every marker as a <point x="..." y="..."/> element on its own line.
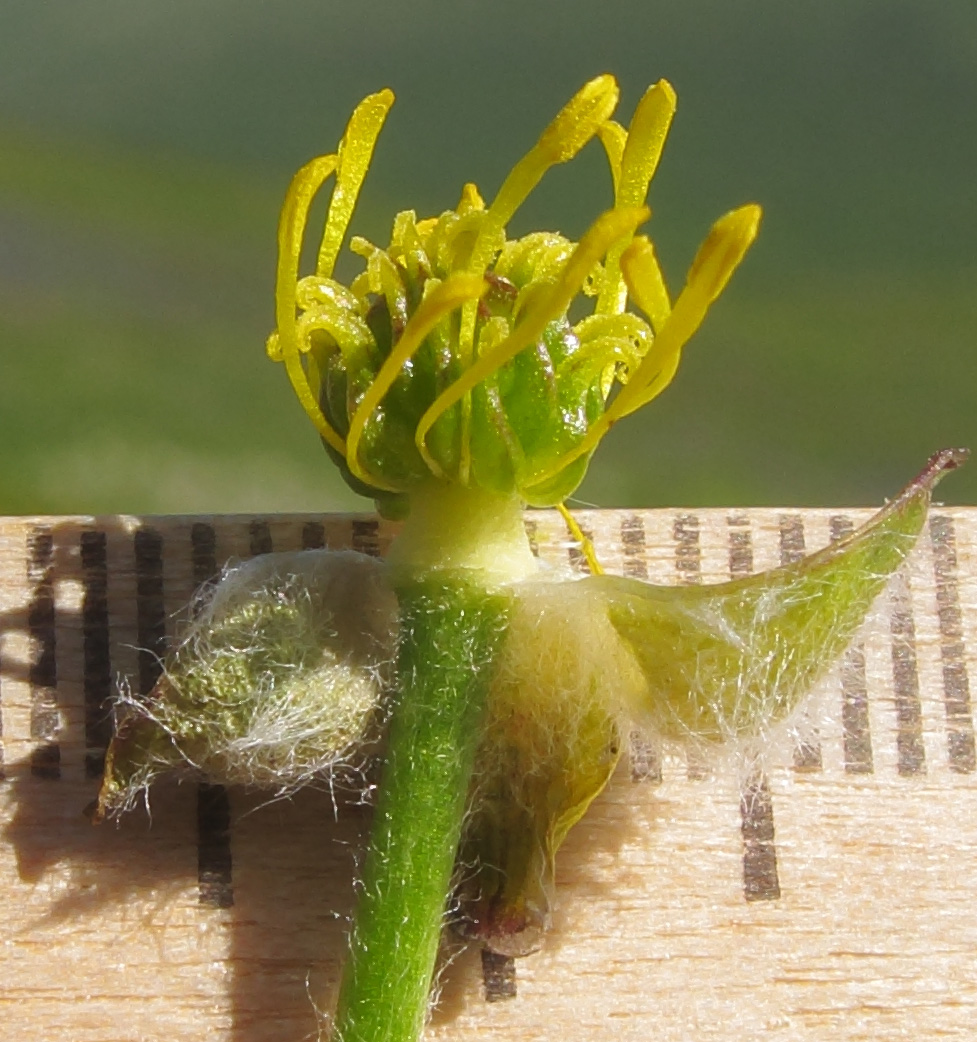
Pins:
<point x="452" y="630"/>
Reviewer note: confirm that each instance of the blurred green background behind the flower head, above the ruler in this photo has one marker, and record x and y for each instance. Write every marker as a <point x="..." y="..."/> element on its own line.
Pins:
<point x="145" y="148"/>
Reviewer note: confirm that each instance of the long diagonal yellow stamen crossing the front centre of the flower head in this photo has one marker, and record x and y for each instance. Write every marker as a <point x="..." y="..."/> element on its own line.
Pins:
<point x="607" y="230"/>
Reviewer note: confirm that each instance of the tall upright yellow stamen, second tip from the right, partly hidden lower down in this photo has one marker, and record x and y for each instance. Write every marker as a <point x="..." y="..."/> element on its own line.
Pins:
<point x="639" y="163"/>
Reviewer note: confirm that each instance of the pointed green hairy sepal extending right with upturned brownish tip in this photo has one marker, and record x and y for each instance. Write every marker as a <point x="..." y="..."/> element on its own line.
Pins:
<point x="727" y="661"/>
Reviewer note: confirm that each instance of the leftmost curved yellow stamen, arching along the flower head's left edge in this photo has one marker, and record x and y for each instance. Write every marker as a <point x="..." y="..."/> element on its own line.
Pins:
<point x="286" y="344"/>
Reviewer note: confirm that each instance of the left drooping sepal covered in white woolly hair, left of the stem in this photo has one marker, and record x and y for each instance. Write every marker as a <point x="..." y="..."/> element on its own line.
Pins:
<point x="278" y="682"/>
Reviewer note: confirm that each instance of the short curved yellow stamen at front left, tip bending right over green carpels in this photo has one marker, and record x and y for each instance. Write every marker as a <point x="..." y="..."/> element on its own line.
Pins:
<point x="443" y="299"/>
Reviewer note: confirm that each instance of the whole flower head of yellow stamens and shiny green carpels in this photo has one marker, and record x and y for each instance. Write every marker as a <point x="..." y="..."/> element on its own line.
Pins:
<point x="452" y="359"/>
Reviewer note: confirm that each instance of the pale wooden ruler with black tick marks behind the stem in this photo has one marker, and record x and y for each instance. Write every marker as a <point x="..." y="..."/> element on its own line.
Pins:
<point x="831" y="892"/>
